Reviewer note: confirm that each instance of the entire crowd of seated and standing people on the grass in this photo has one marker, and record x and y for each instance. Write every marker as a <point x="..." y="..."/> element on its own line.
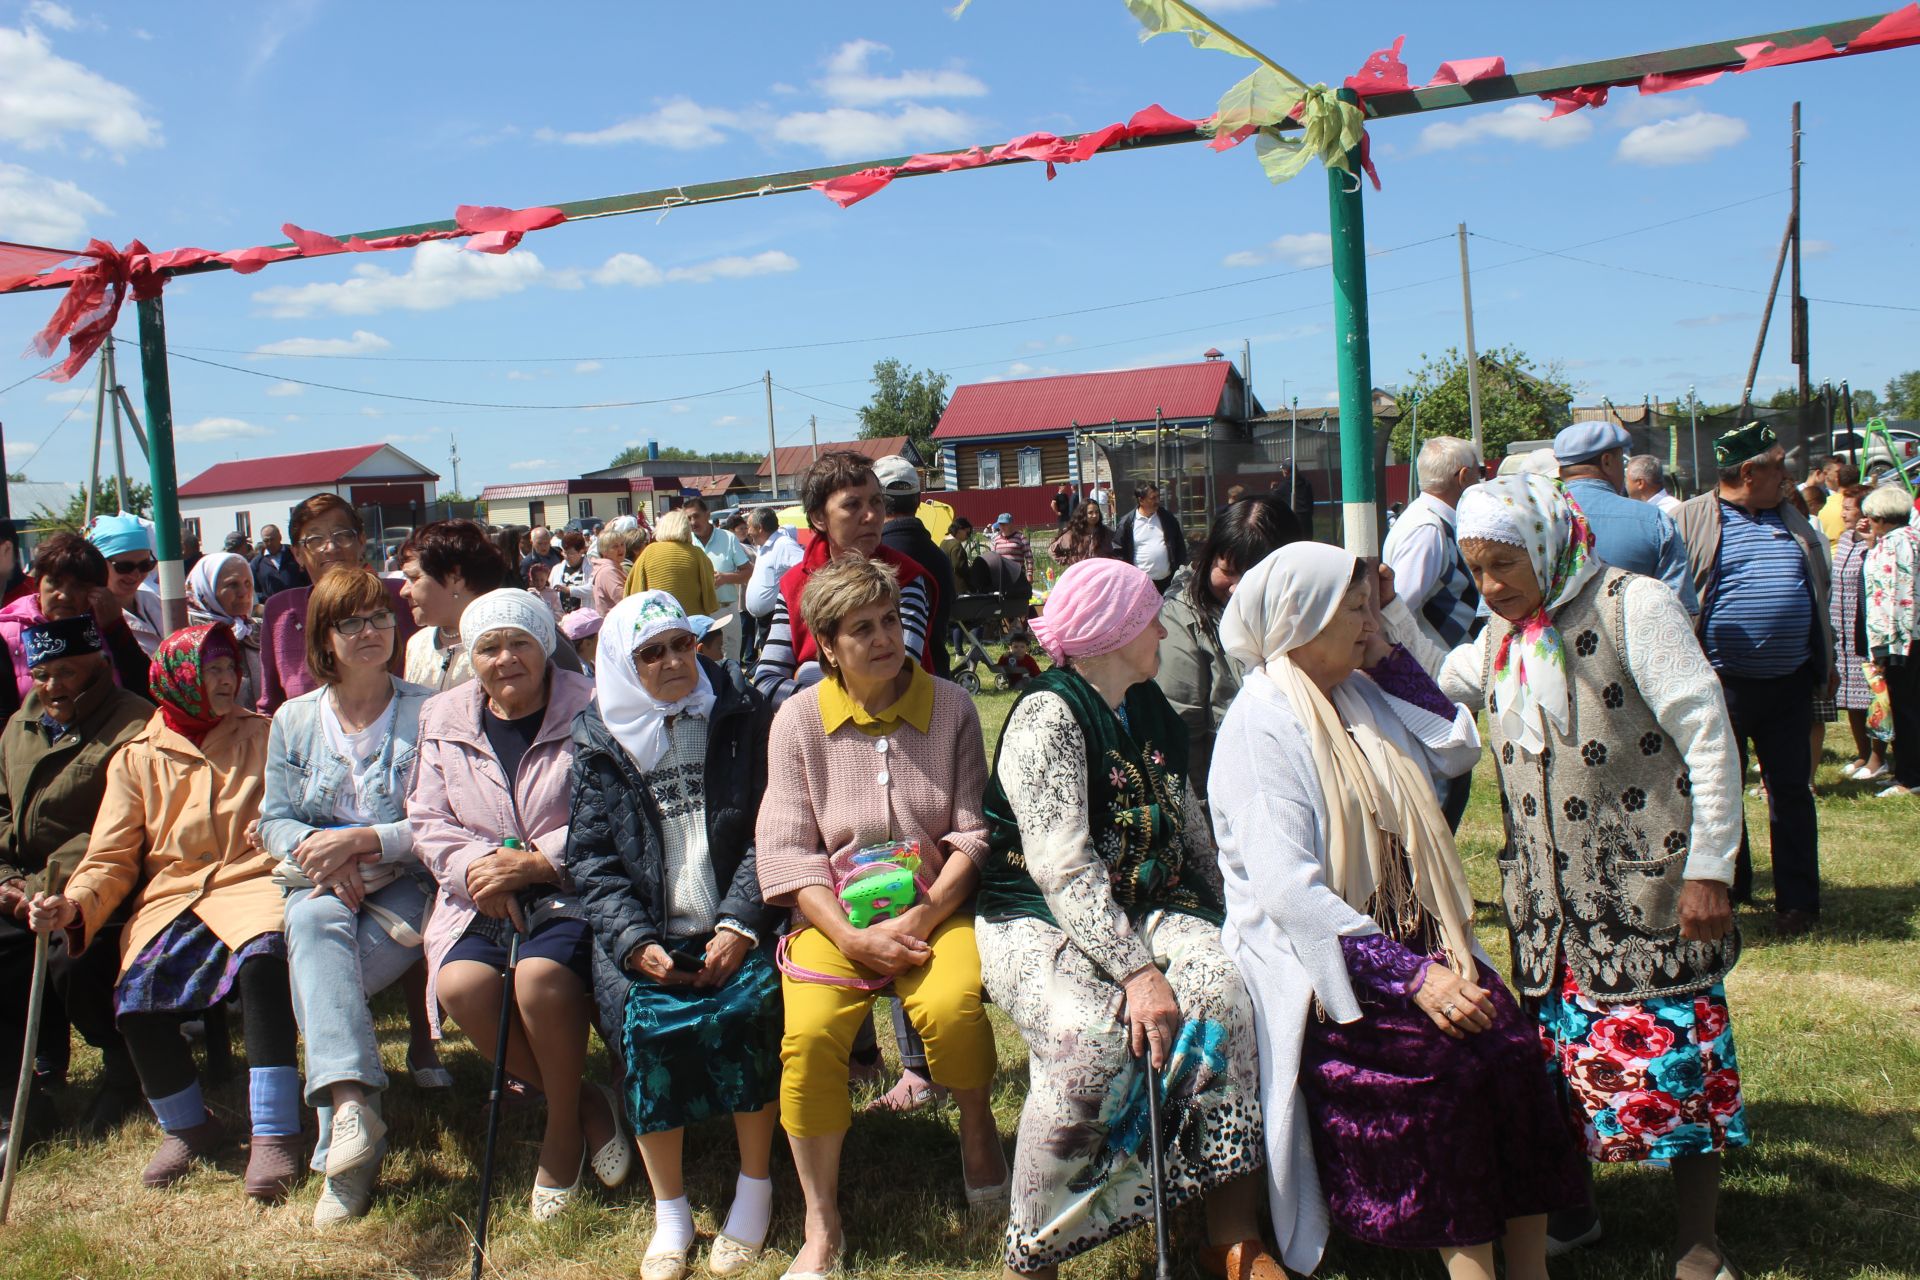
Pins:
<point x="1209" y="866"/>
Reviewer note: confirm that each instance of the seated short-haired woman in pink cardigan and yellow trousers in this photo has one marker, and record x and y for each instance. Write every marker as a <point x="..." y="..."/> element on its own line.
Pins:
<point x="875" y="809"/>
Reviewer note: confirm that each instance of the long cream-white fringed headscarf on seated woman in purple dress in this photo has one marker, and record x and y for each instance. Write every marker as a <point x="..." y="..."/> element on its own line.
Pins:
<point x="1378" y="797"/>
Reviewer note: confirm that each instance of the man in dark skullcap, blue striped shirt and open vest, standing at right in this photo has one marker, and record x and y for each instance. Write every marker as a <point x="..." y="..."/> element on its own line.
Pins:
<point x="1764" y="582"/>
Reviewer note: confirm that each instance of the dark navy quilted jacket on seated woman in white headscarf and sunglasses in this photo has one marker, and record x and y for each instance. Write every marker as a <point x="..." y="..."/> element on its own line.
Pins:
<point x="613" y="845"/>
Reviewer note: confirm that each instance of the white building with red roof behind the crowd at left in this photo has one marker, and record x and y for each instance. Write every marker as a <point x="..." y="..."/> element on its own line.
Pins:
<point x="258" y="492"/>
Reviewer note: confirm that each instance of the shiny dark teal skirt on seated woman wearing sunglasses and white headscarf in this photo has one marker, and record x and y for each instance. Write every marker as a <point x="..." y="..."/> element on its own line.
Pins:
<point x="700" y="1055"/>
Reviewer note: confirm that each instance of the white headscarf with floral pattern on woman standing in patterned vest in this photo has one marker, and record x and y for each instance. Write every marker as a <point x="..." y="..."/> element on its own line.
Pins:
<point x="1531" y="665"/>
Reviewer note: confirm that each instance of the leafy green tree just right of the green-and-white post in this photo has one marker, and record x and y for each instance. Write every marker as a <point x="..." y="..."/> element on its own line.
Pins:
<point x="1520" y="400"/>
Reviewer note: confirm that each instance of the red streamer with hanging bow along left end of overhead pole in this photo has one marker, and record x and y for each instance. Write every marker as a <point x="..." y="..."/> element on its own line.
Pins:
<point x="101" y="287"/>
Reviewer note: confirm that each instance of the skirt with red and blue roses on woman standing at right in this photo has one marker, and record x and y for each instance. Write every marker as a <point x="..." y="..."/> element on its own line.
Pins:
<point x="1648" y="1079"/>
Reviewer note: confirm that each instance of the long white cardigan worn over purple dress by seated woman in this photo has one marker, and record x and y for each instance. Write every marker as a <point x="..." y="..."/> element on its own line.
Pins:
<point x="1285" y="924"/>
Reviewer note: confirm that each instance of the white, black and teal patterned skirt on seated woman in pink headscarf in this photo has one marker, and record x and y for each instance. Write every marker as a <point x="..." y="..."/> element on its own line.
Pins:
<point x="1082" y="1168"/>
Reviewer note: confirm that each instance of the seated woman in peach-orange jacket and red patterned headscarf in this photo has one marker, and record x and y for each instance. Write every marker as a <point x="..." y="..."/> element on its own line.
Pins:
<point x="206" y="914"/>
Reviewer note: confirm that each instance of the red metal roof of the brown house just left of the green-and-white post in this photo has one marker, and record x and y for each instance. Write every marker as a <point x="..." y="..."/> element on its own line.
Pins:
<point x="1028" y="406"/>
